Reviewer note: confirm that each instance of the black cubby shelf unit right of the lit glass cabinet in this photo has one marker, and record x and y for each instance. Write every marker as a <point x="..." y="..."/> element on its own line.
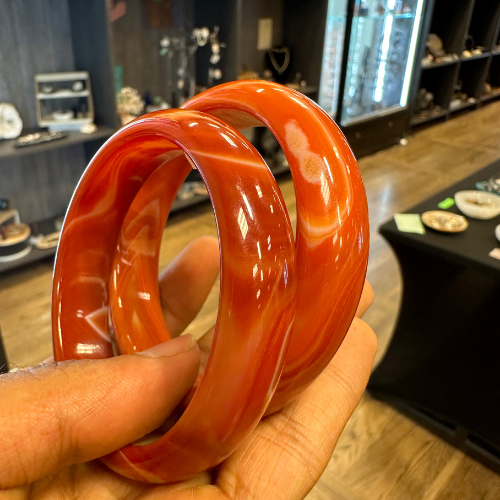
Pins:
<point x="458" y="23"/>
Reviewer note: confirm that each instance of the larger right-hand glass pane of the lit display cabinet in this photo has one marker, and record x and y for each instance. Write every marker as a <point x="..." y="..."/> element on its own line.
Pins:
<point x="382" y="46"/>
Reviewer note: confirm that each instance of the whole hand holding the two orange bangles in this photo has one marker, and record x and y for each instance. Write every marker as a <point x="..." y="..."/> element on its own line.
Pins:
<point x="52" y="427"/>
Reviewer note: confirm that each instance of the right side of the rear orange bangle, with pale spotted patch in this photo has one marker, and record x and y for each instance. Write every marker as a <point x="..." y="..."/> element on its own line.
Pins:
<point x="332" y="235"/>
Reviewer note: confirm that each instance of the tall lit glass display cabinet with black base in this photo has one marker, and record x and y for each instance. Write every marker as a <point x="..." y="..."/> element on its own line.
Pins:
<point x="369" y="53"/>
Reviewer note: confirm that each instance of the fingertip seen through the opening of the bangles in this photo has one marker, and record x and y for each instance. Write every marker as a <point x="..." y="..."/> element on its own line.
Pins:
<point x="186" y="283"/>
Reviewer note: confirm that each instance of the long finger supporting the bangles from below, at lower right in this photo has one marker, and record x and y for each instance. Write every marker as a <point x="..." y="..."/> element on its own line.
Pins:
<point x="288" y="452"/>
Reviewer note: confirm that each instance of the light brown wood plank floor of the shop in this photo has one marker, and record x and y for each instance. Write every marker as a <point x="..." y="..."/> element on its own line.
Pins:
<point x="381" y="455"/>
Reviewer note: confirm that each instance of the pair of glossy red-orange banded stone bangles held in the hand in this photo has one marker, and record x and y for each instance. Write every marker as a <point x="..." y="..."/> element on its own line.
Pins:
<point x="283" y="312"/>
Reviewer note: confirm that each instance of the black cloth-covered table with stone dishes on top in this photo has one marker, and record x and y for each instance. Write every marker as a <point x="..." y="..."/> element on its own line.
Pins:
<point x="442" y="367"/>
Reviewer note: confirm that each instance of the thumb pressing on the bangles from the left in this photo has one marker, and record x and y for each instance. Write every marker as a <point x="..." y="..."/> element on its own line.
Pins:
<point x="60" y="414"/>
